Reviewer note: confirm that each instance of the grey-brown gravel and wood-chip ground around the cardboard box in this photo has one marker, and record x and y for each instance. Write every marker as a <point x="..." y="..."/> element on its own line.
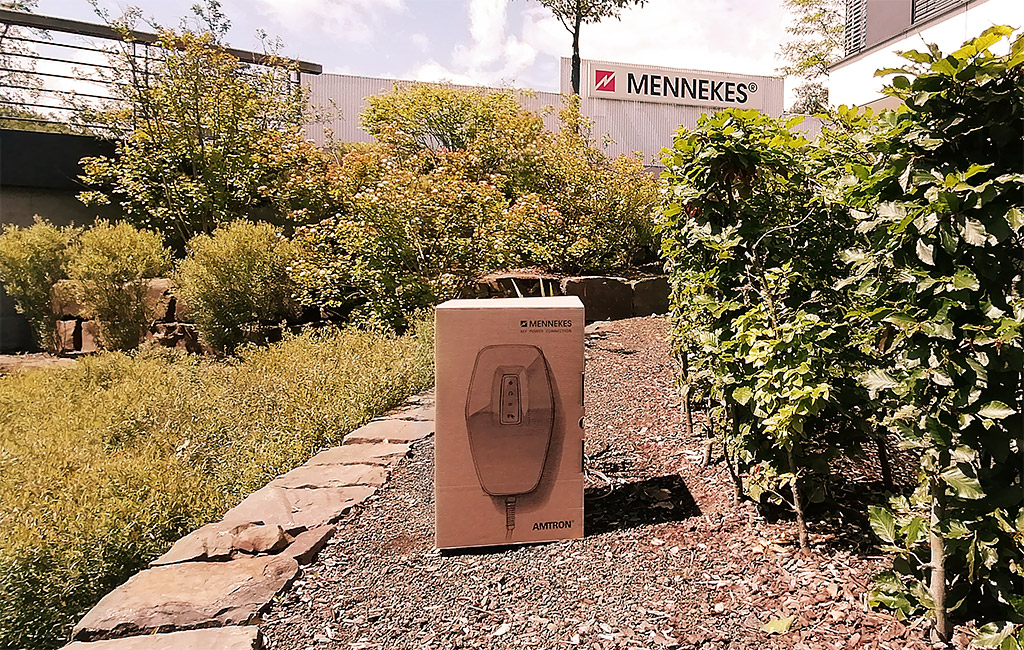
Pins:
<point x="669" y="561"/>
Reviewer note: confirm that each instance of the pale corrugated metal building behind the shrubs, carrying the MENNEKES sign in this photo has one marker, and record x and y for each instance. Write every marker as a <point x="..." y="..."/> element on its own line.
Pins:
<point x="635" y="109"/>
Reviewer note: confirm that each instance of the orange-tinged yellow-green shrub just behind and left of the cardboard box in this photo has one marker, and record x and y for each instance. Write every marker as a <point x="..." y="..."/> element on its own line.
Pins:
<point x="412" y="242"/>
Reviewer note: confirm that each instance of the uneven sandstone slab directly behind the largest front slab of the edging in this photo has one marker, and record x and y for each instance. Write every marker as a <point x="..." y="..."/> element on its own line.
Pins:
<point x="221" y="541"/>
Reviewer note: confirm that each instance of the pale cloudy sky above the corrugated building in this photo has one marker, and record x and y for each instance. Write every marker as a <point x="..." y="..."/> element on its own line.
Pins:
<point x="515" y="44"/>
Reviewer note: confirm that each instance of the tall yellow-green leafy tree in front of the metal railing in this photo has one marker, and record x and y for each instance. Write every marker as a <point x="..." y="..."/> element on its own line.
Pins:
<point x="203" y="139"/>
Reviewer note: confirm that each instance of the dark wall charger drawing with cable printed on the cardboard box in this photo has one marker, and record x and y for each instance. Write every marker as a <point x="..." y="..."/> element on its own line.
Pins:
<point x="510" y="417"/>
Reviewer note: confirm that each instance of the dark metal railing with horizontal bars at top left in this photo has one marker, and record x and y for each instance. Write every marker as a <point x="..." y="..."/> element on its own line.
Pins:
<point x="56" y="71"/>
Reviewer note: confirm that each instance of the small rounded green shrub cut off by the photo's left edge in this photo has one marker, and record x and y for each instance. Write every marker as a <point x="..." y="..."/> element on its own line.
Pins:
<point x="32" y="261"/>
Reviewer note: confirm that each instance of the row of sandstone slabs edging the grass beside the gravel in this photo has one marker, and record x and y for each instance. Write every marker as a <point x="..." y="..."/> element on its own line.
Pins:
<point x="211" y="587"/>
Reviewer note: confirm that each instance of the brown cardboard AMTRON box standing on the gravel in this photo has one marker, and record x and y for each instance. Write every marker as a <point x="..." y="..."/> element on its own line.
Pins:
<point x="508" y="465"/>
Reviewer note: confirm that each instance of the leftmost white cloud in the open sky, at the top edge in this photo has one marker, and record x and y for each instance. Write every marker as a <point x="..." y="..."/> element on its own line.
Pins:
<point x="354" y="21"/>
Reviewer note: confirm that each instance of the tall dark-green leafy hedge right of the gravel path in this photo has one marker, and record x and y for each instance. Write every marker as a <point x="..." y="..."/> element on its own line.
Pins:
<point x="926" y="313"/>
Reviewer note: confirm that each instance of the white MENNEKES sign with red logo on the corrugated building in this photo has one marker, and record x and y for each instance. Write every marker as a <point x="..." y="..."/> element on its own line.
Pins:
<point x="612" y="81"/>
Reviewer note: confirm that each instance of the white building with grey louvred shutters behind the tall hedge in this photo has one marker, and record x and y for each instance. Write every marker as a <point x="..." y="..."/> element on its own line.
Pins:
<point x="876" y="30"/>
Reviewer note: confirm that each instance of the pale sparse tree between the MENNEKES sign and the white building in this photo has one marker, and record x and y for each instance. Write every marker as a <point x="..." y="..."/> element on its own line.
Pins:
<point x="817" y="30"/>
